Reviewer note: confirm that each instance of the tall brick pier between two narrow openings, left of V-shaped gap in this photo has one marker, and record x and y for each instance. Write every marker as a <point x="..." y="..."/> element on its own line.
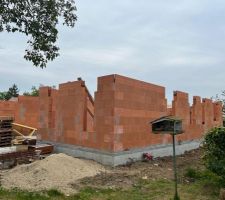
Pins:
<point x="70" y="109"/>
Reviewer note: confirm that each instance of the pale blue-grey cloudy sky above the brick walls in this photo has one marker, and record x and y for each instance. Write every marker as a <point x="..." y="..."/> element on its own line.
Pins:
<point x="177" y="44"/>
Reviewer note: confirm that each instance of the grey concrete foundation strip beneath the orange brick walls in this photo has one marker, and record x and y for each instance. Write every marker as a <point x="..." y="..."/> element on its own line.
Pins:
<point x="120" y="158"/>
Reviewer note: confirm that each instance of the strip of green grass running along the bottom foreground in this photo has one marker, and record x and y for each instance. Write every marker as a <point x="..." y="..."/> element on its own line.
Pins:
<point x="205" y="186"/>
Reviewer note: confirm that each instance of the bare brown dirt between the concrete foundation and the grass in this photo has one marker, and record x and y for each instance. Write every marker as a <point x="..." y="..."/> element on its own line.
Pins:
<point x="127" y="176"/>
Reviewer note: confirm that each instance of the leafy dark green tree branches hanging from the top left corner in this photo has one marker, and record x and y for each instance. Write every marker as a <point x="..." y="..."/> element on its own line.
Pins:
<point x="37" y="19"/>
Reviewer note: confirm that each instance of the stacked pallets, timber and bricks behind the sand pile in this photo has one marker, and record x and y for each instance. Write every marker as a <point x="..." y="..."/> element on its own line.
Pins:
<point x="23" y="139"/>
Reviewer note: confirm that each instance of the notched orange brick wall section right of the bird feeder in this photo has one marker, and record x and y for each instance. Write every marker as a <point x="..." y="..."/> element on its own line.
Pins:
<point x="197" y="119"/>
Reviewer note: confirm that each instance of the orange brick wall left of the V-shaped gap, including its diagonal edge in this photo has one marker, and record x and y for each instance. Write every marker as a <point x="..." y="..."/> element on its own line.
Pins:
<point x="67" y="114"/>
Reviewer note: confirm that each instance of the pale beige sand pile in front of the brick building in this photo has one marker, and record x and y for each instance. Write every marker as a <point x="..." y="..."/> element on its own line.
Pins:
<point x="57" y="171"/>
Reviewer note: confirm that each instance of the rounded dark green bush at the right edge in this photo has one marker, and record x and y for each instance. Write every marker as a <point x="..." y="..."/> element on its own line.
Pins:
<point x="214" y="151"/>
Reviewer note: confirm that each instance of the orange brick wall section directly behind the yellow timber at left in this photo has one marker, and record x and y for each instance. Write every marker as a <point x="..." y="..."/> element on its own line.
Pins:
<point x="27" y="111"/>
